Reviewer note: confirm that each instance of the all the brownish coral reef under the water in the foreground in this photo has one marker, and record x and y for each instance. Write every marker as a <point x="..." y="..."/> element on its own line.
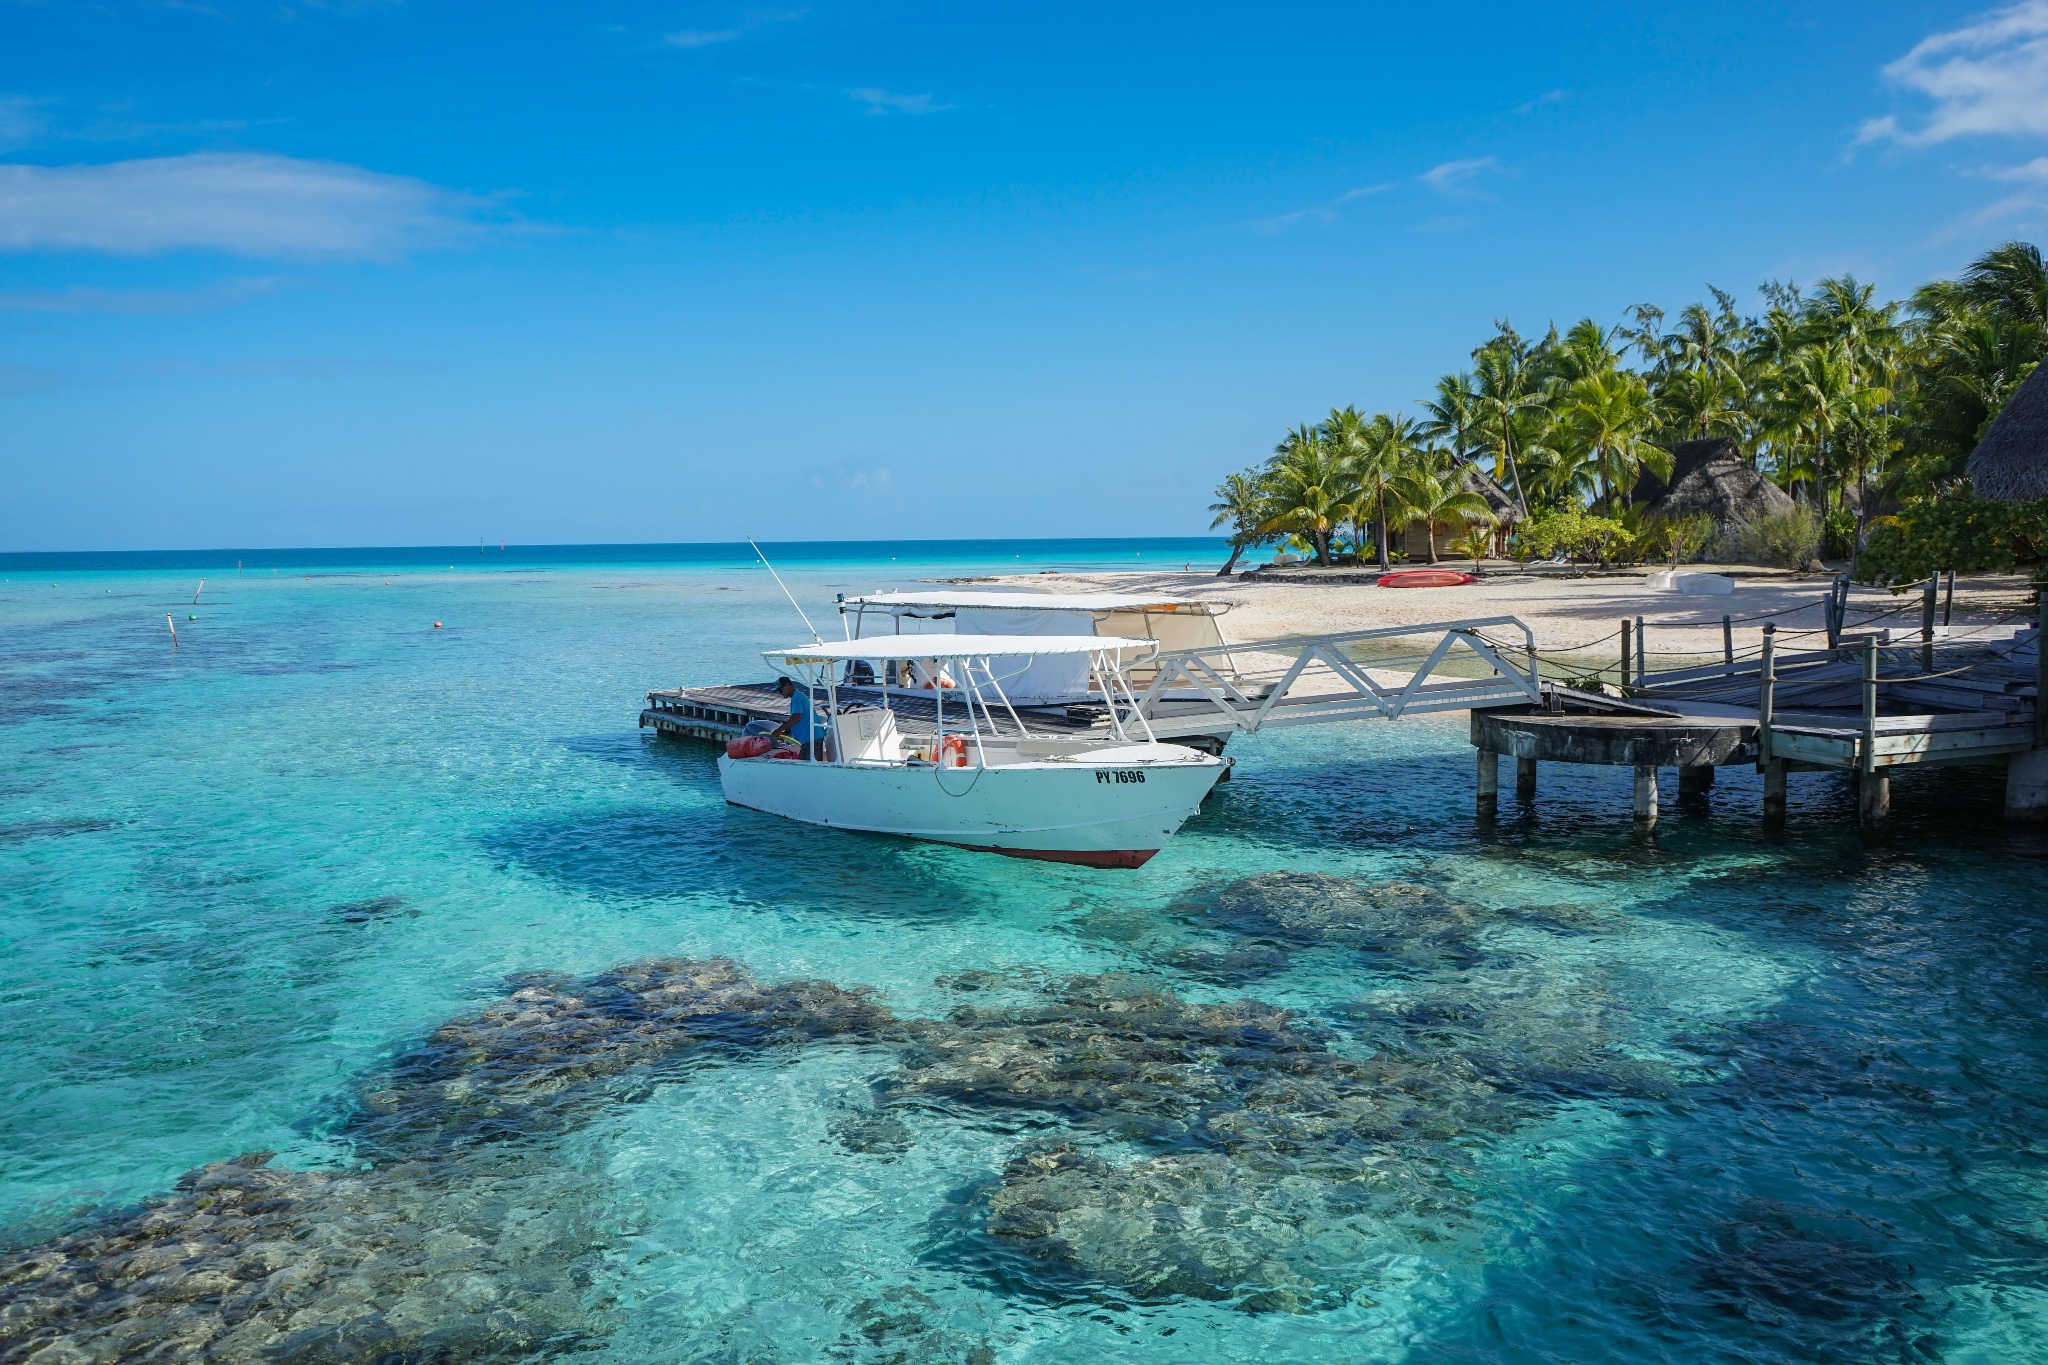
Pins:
<point x="1228" y="1151"/>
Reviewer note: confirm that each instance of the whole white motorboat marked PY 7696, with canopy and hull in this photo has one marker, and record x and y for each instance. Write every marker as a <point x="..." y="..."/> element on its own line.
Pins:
<point x="1109" y="801"/>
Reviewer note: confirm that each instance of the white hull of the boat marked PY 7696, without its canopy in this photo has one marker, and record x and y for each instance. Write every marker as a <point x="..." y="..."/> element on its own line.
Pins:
<point x="1111" y="813"/>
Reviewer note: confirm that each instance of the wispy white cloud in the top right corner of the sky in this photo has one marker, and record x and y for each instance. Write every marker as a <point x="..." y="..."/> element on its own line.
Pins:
<point x="1988" y="77"/>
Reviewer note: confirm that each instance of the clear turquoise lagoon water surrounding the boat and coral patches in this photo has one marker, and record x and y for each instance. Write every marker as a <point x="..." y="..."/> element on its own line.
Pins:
<point x="1703" y="1098"/>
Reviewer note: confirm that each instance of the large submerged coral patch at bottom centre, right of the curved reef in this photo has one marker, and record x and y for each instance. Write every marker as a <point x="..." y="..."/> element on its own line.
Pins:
<point x="1277" y="1159"/>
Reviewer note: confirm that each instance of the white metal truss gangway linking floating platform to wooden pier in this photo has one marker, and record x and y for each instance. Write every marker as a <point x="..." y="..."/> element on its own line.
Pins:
<point x="1314" y="678"/>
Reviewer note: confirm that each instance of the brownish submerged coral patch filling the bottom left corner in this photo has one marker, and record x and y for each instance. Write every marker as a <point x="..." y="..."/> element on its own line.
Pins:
<point x="249" y="1264"/>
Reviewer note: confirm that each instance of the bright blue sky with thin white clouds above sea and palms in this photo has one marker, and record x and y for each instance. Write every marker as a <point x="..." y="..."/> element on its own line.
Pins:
<point x="411" y="273"/>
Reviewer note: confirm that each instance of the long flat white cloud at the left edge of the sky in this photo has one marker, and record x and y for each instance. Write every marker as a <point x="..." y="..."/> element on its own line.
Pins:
<point x="241" y="204"/>
